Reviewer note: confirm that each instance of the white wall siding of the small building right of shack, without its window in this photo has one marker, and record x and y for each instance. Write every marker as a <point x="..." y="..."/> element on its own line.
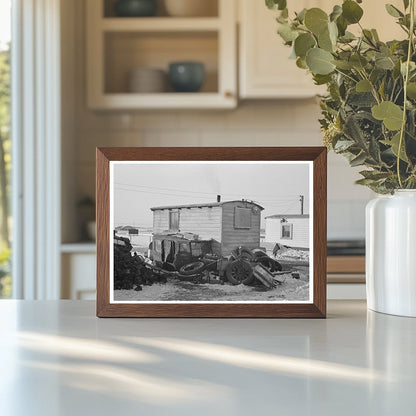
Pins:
<point x="300" y="232"/>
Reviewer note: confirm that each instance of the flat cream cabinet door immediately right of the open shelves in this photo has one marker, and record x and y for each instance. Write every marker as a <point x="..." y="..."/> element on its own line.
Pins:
<point x="265" y="68"/>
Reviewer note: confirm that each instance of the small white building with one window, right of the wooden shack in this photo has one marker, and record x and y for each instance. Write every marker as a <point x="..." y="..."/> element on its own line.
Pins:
<point x="288" y="230"/>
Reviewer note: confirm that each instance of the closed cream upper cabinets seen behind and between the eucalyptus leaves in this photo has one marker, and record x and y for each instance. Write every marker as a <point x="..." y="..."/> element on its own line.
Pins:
<point x="265" y="70"/>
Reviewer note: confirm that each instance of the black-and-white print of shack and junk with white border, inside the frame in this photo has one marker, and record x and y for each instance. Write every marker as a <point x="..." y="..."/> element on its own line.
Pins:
<point x="223" y="232"/>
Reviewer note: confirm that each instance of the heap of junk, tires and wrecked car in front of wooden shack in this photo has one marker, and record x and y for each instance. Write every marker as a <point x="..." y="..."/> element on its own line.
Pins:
<point x="193" y="261"/>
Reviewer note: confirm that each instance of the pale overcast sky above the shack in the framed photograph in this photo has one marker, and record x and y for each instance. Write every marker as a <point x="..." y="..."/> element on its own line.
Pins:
<point x="138" y="187"/>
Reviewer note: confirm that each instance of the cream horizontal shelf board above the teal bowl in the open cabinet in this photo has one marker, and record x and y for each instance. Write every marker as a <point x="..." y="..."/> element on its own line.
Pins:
<point x="160" y="24"/>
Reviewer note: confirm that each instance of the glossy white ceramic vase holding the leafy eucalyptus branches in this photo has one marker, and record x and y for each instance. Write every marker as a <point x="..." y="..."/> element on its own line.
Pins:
<point x="391" y="253"/>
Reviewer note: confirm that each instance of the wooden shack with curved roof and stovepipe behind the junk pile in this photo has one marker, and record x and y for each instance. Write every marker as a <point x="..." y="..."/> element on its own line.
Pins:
<point x="228" y="224"/>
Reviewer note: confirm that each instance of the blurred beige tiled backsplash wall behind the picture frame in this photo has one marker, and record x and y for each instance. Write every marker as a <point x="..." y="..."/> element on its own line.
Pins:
<point x="288" y="123"/>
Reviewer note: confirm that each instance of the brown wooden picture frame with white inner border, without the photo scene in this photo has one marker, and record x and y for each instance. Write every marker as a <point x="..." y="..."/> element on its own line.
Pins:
<point x="315" y="157"/>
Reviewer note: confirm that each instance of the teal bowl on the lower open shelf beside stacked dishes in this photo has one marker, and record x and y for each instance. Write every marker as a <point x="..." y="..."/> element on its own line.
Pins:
<point x="186" y="76"/>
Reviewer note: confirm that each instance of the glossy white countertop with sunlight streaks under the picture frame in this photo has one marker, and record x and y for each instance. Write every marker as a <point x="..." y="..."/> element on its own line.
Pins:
<point x="57" y="358"/>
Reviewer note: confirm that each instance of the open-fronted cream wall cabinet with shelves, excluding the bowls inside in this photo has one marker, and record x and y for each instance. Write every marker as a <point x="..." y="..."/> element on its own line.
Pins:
<point x="118" y="45"/>
